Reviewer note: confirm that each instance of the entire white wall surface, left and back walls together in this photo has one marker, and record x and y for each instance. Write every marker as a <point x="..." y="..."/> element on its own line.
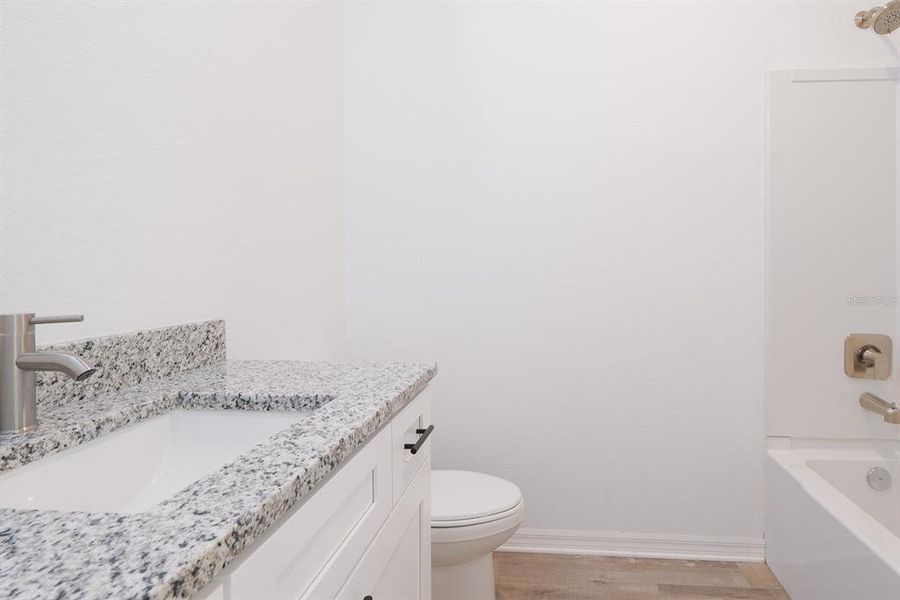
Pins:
<point x="562" y="203"/>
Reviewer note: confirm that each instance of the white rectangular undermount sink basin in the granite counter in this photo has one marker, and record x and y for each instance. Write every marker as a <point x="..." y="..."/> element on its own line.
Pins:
<point x="138" y="467"/>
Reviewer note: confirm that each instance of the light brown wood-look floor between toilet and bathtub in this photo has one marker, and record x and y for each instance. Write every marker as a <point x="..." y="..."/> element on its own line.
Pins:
<point x="521" y="576"/>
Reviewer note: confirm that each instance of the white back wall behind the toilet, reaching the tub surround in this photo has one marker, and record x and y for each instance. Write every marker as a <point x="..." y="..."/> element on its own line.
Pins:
<point x="562" y="204"/>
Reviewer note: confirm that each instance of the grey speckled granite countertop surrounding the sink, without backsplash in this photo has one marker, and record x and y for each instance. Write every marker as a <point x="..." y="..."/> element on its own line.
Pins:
<point x="180" y="545"/>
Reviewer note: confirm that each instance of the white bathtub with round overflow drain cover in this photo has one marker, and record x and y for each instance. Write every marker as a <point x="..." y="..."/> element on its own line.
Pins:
<point x="829" y="535"/>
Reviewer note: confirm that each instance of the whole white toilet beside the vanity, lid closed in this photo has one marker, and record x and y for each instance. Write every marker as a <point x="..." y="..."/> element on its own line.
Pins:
<point x="472" y="514"/>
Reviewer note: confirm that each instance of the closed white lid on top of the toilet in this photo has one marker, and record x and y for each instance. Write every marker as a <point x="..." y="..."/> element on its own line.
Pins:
<point x="465" y="495"/>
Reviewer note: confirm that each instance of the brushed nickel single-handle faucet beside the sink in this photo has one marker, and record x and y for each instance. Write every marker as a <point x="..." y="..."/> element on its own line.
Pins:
<point x="19" y="361"/>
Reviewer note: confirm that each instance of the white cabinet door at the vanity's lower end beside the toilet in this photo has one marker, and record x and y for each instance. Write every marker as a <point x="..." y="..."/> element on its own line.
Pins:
<point x="397" y="566"/>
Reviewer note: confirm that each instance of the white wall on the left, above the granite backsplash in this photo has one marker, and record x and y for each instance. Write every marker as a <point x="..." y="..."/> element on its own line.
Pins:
<point x="163" y="162"/>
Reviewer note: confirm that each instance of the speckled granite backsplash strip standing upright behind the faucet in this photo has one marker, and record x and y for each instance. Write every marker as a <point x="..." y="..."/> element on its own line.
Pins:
<point x="131" y="358"/>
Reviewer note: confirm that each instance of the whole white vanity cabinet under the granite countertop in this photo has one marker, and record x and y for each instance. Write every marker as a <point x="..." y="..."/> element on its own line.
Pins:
<point x="365" y="532"/>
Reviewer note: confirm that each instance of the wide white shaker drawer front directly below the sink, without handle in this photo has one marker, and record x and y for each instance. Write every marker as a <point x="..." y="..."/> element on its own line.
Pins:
<point x="324" y="537"/>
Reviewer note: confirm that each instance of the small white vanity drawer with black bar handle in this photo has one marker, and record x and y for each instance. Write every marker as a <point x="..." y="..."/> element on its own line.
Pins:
<point x="404" y="430"/>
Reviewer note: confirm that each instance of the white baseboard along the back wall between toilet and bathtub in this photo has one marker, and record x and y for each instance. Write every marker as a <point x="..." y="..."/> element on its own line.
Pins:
<point x="638" y="545"/>
